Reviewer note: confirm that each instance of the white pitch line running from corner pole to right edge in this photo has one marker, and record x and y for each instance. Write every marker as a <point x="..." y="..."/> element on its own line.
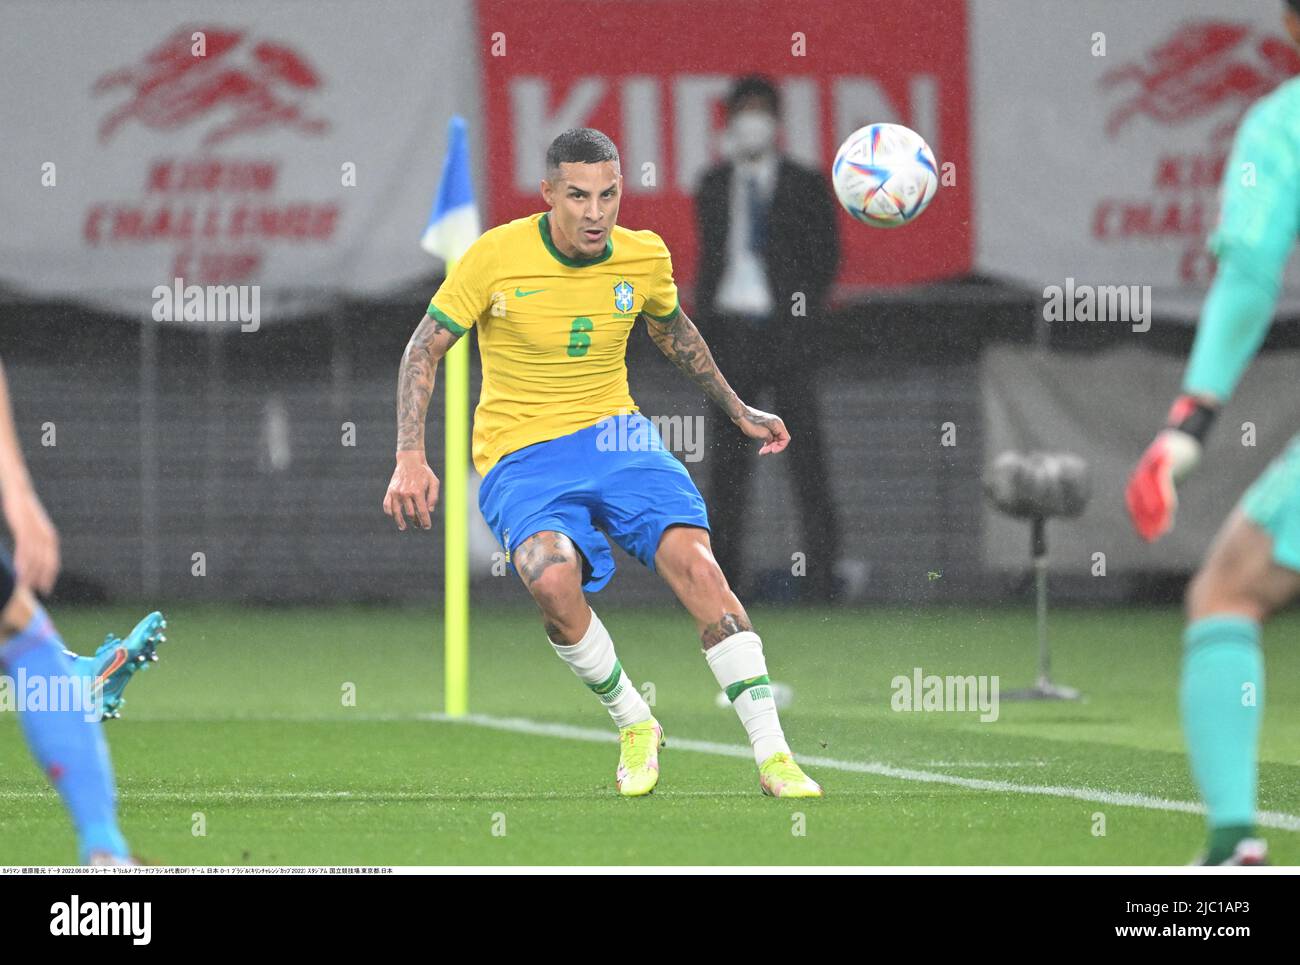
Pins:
<point x="1276" y="820"/>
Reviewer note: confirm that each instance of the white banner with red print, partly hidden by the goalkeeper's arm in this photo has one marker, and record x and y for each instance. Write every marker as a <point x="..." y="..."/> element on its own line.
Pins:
<point x="1102" y="132"/>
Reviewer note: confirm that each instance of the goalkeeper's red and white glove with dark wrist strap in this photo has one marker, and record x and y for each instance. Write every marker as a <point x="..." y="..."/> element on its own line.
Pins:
<point x="1151" y="495"/>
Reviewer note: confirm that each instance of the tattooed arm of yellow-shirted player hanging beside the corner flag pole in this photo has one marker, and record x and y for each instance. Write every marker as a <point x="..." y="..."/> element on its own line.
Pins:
<point x="414" y="490"/>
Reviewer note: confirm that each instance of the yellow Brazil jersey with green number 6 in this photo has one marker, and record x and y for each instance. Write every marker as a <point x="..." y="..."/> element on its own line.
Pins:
<point x="553" y="331"/>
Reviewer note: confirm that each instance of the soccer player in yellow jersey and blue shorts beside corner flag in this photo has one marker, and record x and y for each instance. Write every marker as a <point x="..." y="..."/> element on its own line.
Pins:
<point x="569" y="461"/>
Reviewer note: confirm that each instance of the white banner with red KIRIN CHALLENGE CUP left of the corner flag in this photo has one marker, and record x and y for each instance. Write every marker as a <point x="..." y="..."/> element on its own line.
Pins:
<point x="289" y="146"/>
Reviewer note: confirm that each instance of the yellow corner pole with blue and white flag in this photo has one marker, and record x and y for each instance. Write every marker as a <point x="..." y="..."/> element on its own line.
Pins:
<point x="453" y="228"/>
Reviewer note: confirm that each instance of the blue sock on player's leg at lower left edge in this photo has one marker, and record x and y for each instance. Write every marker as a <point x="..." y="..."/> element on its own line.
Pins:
<point x="70" y="747"/>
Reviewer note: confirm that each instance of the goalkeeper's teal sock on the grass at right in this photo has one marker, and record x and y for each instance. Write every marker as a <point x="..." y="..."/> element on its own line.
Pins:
<point x="1221" y="699"/>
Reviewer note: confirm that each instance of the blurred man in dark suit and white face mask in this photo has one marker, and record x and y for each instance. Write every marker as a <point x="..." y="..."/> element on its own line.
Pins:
<point x="769" y="252"/>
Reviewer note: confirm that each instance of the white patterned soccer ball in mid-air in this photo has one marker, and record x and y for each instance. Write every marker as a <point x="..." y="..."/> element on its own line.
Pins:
<point x="885" y="175"/>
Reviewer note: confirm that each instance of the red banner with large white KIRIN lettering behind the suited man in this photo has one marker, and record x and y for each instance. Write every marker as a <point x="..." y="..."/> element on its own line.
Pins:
<point x="653" y="76"/>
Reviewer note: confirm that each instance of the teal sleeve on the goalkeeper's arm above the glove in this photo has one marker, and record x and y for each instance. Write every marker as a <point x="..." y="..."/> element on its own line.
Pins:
<point x="1259" y="220"/>
